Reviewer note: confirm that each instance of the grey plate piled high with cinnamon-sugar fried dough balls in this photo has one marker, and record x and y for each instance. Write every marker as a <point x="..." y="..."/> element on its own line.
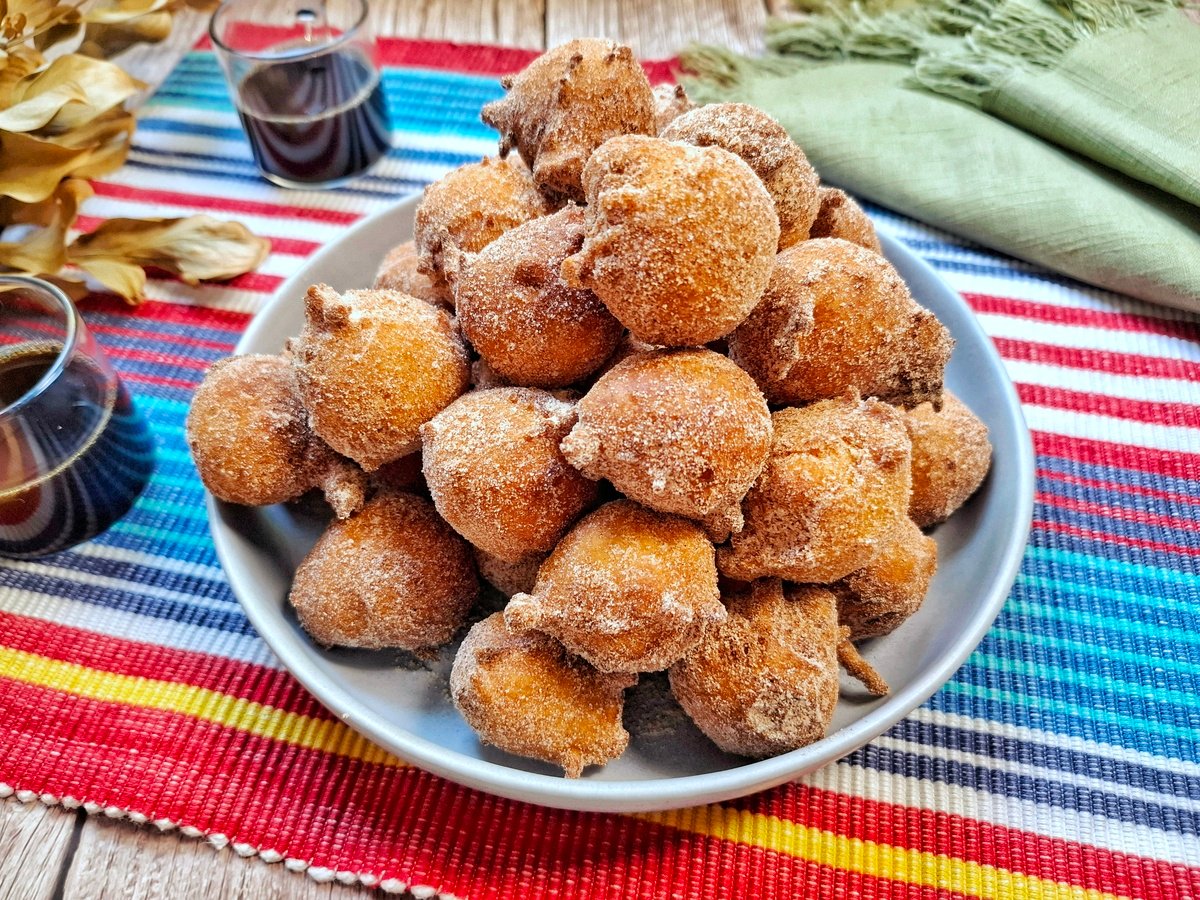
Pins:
<point x="627" y="469"/>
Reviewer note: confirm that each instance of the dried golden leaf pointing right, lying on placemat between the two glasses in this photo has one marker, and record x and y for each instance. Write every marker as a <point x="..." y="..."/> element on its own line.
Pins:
<point x="196" y="249"/>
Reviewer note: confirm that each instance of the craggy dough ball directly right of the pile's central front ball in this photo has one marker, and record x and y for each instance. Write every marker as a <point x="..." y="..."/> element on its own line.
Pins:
<point x="837" y="482"/>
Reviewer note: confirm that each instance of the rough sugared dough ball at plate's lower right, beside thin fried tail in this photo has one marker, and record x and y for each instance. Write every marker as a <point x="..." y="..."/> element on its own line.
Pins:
<point x="766" y="681"/>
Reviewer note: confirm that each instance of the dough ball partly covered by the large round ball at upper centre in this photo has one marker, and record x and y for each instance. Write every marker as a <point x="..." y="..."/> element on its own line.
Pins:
<point x="521" y="317"/>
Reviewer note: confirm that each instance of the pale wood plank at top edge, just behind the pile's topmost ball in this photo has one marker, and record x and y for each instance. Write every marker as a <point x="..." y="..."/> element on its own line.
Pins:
<point x="659" y="29"/>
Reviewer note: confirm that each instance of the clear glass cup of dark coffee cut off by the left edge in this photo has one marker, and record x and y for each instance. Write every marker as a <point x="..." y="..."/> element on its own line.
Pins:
<point x="75" y="453"/>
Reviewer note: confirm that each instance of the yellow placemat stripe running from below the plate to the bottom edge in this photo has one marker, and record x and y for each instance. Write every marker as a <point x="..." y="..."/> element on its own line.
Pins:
<point x="884" y="861"/>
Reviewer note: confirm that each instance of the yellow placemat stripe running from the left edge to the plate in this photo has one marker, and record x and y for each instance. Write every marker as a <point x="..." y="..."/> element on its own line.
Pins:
<point x="329" y="736"/>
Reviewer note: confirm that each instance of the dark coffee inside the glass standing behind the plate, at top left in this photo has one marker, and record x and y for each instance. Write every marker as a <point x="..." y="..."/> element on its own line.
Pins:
<point x="315" y="121"/>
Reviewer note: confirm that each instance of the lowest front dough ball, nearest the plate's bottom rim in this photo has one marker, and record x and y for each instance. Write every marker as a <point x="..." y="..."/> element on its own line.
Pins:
<point x="526" y="695"/>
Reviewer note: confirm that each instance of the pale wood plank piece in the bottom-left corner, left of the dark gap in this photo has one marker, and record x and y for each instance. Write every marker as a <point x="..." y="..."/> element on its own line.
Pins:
<point x="35" y="842"/>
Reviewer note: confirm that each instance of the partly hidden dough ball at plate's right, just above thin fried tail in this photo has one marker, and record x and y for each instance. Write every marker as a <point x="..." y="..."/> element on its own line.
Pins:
<point x="878" y="598"/>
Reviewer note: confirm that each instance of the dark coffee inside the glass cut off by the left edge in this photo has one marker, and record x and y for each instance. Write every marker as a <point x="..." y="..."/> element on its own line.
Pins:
<point x="87" y="479"/>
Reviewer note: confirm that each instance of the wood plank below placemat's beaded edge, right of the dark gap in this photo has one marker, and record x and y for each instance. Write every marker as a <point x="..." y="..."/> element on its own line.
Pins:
<point x="119" y="860"/>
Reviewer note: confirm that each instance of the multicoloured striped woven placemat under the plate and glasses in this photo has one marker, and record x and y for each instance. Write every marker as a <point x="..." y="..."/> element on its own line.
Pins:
<point x="1060" y="761"/>
